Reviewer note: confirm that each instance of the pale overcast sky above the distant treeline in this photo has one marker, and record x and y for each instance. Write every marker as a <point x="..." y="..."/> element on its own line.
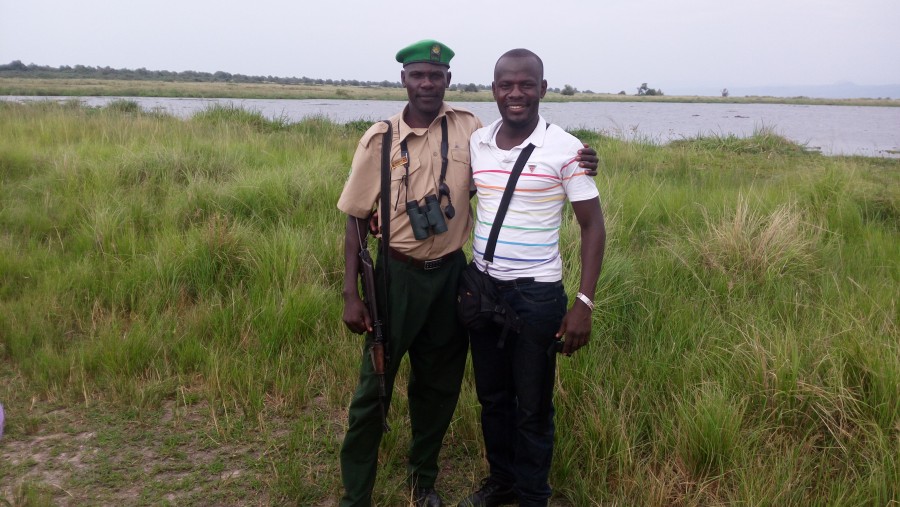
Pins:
<point x="599" y="45"/>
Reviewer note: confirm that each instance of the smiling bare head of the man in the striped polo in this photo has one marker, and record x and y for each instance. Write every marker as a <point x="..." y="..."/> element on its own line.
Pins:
<point x="518" y="88"/>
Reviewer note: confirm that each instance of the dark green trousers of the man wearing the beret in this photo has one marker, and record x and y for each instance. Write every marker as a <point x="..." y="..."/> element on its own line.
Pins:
<point x="423" y="324"/>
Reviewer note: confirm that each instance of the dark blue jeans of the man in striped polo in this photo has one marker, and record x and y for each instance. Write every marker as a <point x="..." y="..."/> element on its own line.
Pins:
<point x="515" y="388"/>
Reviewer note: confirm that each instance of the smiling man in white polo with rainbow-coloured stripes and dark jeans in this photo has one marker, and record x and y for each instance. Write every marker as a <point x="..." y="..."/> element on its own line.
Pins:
<point x="514" y="381"/>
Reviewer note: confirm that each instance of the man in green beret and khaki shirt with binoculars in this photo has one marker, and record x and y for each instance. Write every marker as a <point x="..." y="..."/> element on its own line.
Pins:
<point x="430" y="169"/>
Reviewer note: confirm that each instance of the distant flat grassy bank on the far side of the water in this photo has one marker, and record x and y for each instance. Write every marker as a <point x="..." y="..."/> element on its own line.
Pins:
<point x="124" y="88"/>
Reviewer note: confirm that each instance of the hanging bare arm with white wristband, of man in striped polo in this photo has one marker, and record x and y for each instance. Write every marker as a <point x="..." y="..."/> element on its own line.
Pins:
<point x="576" y="325"/>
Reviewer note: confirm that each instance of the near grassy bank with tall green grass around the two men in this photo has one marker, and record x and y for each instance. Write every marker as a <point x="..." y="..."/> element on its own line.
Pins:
<point x="170" y="320"/>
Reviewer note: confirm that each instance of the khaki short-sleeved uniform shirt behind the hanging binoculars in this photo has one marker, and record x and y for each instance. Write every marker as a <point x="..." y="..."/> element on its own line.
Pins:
<point x="362" y="190"/>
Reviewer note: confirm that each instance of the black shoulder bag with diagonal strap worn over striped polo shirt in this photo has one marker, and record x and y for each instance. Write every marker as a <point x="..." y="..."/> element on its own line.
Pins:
<point x="479" y="301"/>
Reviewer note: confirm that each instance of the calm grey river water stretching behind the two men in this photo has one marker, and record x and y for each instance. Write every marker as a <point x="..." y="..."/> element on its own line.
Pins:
<point x="832" y="130"/>
